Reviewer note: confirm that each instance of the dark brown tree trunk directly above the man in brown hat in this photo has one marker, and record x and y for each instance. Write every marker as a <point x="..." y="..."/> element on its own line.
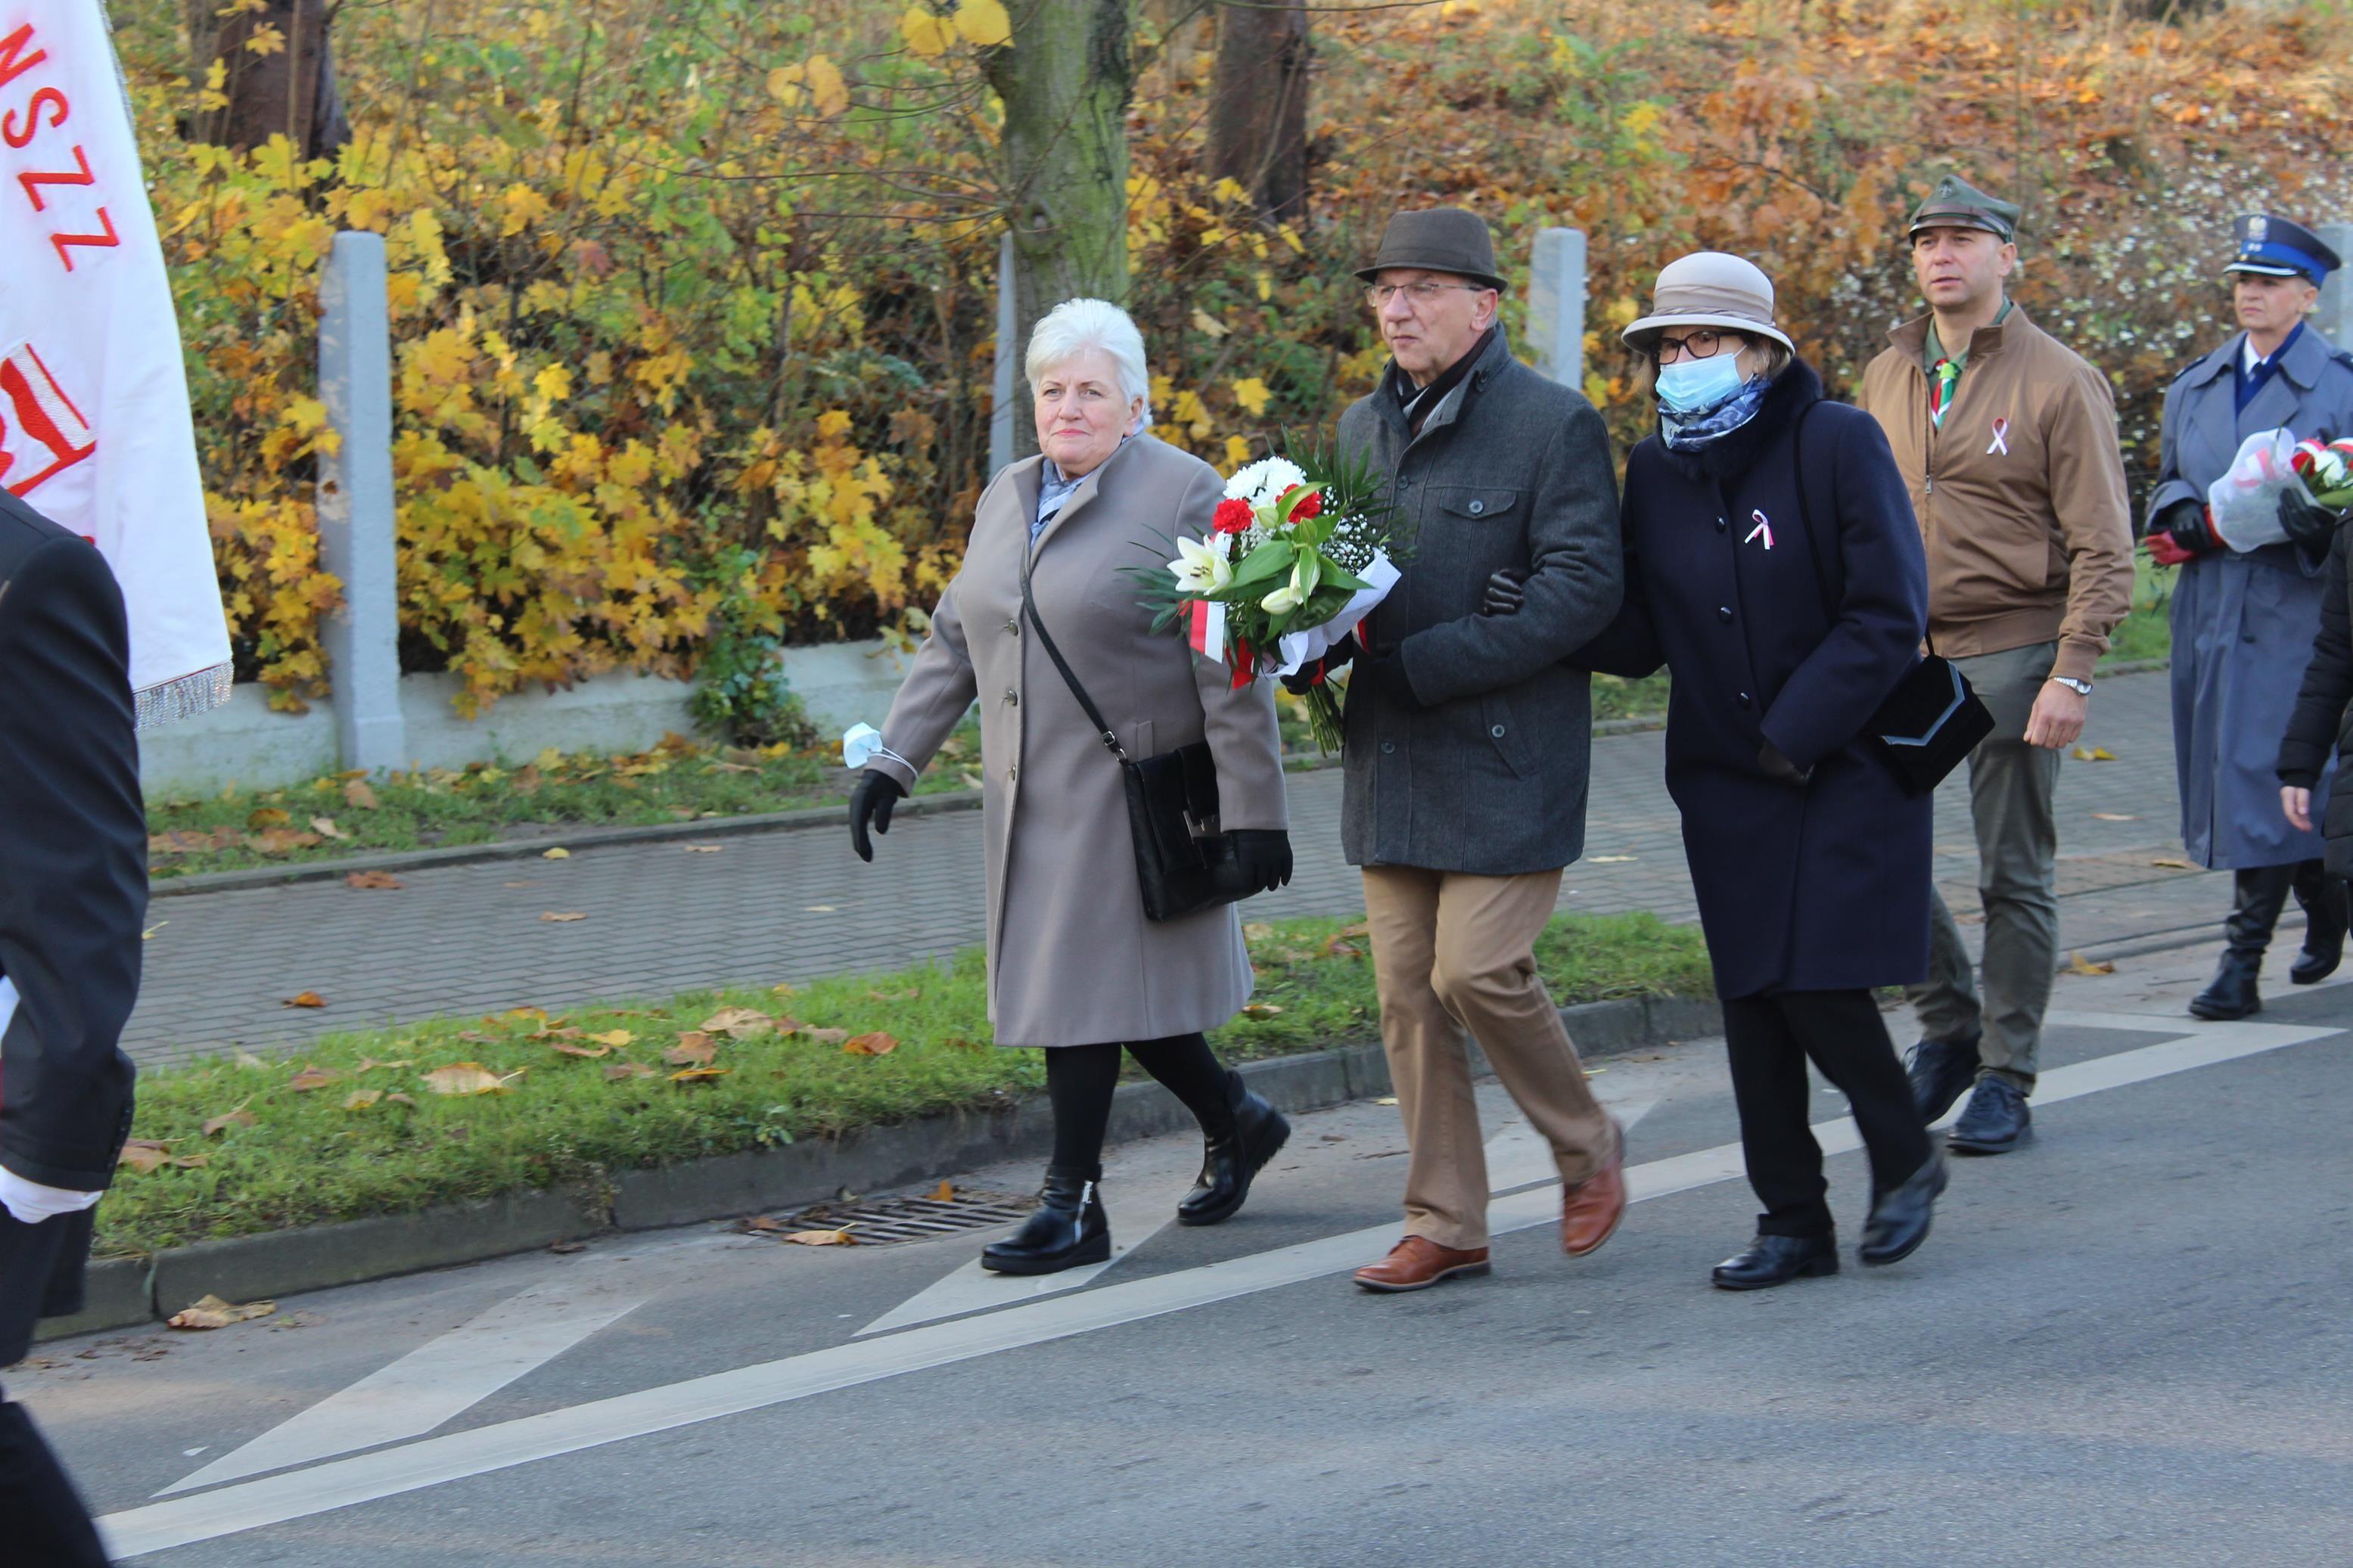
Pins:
<point x="1260" y="105"/>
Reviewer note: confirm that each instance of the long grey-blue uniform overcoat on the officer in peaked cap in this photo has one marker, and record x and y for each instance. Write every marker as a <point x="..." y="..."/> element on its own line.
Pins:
<point x="2244" y="624"/>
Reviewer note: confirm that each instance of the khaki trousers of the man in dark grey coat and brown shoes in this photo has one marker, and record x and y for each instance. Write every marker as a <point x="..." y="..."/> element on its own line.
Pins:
<point x="1458" y="953"/>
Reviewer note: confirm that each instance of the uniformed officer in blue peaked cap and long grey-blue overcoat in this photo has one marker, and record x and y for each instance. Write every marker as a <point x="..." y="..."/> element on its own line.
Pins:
<point x="2246" y="622"/>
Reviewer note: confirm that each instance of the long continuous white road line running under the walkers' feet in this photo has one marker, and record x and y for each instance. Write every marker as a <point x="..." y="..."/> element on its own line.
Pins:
<point x="439" y="1461"/>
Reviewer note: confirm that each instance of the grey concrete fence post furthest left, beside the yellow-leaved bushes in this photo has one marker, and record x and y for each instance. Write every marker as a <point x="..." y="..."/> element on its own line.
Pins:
<point x="356" y="507"/>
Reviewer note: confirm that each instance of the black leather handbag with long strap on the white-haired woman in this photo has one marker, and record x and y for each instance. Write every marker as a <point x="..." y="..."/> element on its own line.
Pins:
<point x="1185" y="864"/>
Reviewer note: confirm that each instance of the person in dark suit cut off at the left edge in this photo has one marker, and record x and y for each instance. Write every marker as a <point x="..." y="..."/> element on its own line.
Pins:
<point x="72" y="897"/>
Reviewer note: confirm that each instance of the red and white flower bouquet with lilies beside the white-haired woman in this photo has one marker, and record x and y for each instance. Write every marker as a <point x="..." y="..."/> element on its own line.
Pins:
<point x="1298" y="556"/>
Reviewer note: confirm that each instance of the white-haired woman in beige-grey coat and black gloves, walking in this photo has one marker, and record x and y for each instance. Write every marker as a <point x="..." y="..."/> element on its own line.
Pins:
<point x="1074" y="965"/>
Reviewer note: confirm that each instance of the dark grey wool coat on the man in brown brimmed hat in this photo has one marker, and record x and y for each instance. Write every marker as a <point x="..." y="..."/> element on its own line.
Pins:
<point x="1491" y="775"/>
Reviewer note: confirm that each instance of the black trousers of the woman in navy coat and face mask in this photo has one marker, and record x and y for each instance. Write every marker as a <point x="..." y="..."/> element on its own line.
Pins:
<point x="1771" y="1040"/>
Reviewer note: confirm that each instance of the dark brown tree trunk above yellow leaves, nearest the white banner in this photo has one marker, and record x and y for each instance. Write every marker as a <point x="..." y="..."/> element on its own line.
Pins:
<point x="284" y="93"/>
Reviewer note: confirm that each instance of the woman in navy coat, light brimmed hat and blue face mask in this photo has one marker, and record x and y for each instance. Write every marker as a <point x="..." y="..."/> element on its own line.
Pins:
<point x="1811" y="864"/>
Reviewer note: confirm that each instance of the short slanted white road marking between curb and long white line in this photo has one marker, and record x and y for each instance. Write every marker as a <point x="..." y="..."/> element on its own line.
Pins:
<point x="432" y="1383"/>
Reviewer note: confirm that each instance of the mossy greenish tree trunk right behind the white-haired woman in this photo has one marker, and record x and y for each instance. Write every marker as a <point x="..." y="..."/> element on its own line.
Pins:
<point x="1065" y="83"/>
